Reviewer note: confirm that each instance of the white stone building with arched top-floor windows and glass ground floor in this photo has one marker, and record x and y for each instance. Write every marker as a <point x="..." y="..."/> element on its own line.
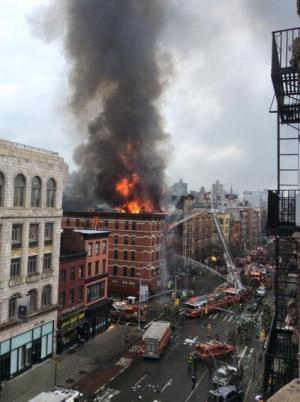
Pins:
<point x="31" y="185"/>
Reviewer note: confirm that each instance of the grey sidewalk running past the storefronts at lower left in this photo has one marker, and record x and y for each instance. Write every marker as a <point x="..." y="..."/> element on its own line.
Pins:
<point x="74" y="367"/>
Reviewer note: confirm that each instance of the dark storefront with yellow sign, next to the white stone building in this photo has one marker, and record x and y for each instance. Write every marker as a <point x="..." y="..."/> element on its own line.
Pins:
<point x="72" y="330"/>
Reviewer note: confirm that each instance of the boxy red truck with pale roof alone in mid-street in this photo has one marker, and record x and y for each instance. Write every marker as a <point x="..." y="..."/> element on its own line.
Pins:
<point x="156" y="339"/>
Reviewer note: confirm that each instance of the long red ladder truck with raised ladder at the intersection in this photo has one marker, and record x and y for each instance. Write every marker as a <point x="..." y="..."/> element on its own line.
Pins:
<point x="203" y="305"/>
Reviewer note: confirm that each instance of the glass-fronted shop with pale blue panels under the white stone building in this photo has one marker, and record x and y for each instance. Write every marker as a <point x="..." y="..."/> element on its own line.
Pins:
<point x="21" y="352"/>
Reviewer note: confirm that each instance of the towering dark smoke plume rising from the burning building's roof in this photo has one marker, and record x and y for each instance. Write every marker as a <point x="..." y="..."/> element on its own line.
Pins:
<point x="117" y="79"/>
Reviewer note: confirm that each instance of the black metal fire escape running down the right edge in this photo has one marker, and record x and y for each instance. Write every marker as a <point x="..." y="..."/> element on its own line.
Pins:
<point x="281" y="364"/>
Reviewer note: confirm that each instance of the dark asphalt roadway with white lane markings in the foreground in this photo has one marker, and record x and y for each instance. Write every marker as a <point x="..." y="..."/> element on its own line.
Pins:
<point x="169" y="379"/>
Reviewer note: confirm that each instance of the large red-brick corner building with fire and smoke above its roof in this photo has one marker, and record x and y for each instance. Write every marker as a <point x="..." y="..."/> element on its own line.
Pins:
<point x="134" y="247"/>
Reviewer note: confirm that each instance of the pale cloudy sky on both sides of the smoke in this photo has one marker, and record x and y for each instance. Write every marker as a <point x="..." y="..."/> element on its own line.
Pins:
<point x="217" y="100"/>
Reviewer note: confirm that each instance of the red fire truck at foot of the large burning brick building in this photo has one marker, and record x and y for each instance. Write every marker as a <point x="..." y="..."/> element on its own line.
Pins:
<point x="128" y="310"/>
